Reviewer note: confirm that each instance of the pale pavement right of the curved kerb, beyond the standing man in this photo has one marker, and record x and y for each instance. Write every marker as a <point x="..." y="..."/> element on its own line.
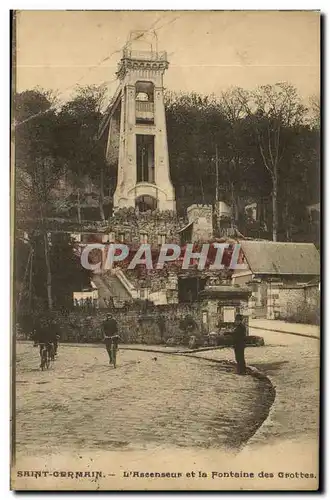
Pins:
<point x="292" y="364"/>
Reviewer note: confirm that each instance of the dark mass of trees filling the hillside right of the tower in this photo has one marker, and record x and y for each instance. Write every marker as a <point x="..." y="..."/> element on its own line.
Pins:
<point x="268" y="152"/>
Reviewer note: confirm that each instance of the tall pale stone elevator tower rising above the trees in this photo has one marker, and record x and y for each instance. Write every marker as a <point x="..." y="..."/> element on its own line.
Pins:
<point x="137" y="128"/>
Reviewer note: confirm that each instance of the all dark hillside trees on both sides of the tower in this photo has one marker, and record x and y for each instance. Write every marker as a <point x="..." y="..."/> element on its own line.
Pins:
<point x="265" y="144"/>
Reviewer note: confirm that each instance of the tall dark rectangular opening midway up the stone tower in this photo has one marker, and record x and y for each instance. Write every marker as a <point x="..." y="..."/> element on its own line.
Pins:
<point x="145" y="158"/>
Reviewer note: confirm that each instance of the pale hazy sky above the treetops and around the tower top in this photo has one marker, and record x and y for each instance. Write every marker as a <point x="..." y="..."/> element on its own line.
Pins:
<point x="208" y="51"/>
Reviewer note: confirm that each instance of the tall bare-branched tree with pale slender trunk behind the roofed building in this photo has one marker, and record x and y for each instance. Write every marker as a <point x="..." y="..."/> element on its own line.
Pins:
<point x="271" y="109"/>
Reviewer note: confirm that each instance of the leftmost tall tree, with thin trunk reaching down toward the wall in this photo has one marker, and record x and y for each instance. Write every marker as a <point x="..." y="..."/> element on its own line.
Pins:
<point x="36" y="163"/>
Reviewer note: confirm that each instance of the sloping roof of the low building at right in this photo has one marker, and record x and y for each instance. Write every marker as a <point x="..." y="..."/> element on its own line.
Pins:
<point x="268" y="257"/>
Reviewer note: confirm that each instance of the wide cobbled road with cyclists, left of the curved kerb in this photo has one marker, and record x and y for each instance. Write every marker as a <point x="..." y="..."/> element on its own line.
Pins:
<point x="83" y="403"/>
